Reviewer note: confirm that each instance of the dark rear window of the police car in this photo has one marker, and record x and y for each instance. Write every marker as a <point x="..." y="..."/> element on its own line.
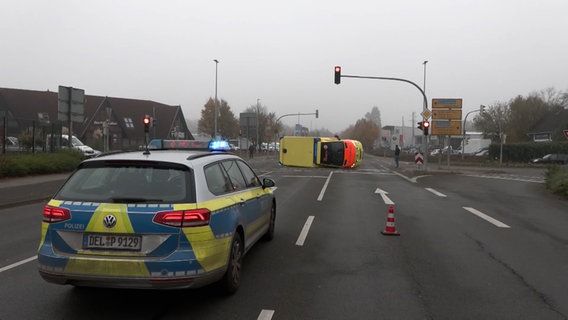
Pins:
<point x="129" y="183"/>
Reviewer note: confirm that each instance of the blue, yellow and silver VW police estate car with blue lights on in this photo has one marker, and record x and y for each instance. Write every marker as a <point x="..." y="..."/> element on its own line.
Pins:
<point x="156" y="219"/>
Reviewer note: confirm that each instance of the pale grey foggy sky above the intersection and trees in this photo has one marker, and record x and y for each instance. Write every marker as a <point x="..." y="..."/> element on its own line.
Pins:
<point x="283" y="53"/>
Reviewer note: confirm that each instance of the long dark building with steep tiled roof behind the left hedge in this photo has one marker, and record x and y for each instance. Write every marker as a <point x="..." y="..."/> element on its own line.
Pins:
<point x="22" y="110"/>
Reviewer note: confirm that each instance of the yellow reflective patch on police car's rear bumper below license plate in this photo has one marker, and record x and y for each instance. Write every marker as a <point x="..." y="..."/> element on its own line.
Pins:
<point x="107" y="267"/>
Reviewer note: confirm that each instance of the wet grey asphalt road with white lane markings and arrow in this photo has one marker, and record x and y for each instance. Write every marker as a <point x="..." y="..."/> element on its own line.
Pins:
<point x="477" y="244"/>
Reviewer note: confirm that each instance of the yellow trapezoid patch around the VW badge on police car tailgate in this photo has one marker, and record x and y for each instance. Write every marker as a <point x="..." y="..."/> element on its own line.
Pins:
<point x="119" y="210"/>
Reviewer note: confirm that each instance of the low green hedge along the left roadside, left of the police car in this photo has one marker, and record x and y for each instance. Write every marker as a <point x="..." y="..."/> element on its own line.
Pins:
<point x="24" y="164"/>
